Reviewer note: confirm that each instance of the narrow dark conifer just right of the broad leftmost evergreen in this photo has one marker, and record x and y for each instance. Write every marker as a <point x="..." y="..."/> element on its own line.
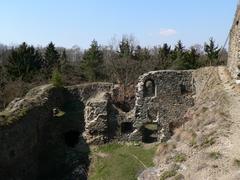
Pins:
<point x="51" y="57"/>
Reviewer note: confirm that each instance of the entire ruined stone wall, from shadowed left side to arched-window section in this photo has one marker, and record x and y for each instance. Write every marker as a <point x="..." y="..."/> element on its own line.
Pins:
<point x="46" y="134"/>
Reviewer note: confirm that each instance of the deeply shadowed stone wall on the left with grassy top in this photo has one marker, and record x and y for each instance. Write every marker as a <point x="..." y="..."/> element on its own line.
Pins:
<point x="41" y="134"/>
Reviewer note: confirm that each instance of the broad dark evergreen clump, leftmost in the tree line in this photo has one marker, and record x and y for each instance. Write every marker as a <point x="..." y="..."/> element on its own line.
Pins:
<point x="23" y="62"/>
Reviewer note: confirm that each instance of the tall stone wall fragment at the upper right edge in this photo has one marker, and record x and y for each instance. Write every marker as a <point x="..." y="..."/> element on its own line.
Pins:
<point x="234" y="46"/>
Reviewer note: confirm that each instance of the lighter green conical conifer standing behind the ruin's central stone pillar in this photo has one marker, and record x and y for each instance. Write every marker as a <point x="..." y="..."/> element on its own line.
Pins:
<point x="92" y="63"/>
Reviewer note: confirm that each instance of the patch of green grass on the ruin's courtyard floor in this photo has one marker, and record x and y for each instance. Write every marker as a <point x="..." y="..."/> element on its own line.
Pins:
<point x="120" y="161"/>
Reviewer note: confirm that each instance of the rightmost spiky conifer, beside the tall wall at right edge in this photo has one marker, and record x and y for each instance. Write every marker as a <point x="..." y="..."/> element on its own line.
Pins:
<point x="212" y="52"/>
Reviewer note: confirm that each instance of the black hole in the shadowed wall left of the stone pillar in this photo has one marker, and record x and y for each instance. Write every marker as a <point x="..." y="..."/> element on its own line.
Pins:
<point x="71" y="138"/>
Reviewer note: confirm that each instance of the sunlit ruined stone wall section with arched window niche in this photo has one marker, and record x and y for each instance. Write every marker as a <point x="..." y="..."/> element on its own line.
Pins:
<point x="162" y="99"/>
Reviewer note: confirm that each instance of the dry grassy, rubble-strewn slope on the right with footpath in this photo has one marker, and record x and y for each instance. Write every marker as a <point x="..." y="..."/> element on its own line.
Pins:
<point x="207" y="145"/>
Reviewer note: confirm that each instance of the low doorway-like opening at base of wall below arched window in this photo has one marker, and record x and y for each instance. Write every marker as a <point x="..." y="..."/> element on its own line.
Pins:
<point x="150" y="133"/>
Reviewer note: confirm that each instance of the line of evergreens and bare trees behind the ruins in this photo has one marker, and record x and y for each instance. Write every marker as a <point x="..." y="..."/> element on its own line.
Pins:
<point x="27" y="66"/>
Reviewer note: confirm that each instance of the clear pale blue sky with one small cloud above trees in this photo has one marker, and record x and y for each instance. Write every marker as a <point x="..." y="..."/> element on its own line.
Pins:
<point x="78" y="22"/>
